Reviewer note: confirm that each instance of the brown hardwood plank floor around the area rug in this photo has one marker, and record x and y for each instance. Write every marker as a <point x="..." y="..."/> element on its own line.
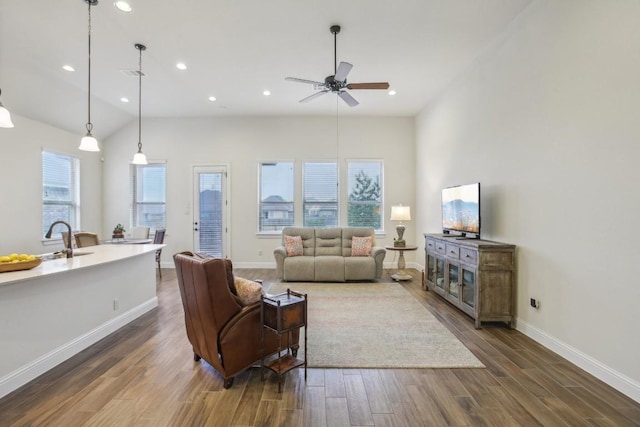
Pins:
<point x="144" y="375"/>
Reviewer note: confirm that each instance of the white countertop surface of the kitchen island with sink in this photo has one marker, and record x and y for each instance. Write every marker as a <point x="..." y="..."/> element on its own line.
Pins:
<point x="97" y="255"/>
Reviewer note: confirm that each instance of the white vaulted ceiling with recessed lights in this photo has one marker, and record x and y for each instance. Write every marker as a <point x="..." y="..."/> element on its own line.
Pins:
<point x="234" y="50"/>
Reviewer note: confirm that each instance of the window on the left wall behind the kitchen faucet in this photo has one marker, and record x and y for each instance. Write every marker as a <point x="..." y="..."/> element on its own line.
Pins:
<point x="60" y="190"/>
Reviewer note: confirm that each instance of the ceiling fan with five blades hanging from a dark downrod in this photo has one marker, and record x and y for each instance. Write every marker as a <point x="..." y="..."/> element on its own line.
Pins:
<point x="337" y="83"/>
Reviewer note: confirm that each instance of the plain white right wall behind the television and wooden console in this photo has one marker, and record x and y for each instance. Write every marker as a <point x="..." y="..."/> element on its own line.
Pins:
<point x="547" y="121"/>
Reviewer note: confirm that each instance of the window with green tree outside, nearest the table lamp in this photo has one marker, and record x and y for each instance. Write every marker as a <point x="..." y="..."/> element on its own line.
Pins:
<point x="364" y="184"/>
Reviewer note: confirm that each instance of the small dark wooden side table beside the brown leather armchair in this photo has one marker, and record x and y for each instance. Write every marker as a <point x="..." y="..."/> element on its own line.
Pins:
<point x="282" y="314"/>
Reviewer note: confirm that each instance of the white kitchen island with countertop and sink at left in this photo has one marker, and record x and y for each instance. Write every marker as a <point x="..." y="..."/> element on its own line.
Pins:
<point x="57" y="309"/>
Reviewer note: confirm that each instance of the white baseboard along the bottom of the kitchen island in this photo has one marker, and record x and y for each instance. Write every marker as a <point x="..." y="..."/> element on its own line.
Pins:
<point x="35" y="368"/>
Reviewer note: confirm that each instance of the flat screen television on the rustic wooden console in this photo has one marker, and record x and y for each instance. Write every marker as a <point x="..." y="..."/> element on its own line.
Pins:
<point x="461" y="210"/>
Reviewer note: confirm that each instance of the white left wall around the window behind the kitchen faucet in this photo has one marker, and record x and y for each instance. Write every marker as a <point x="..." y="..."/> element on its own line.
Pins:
<point x="21" y="183"/>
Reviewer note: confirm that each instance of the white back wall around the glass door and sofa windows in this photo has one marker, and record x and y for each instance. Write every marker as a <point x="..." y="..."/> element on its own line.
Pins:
<point x="241" y="143"/>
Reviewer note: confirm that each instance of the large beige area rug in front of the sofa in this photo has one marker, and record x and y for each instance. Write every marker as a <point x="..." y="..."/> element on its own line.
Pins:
<point x="374" y="325"/>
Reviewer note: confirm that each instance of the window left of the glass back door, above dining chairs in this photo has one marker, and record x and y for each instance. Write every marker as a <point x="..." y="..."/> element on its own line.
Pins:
<point x="149" y="188"/>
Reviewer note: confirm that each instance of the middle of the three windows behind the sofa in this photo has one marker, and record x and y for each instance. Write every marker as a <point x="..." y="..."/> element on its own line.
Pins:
<point x="320" y="194"/>
